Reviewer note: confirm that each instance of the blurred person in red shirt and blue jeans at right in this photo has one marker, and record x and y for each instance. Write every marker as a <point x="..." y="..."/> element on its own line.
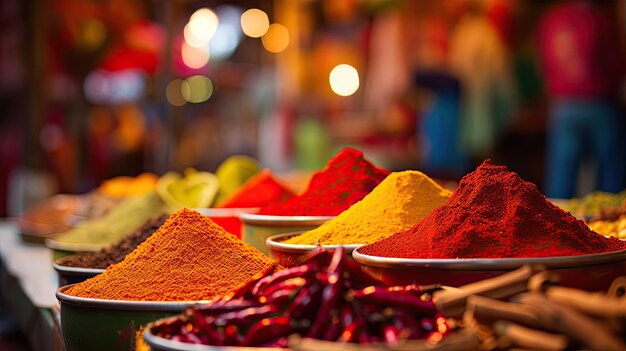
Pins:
<point x="578" y="45"/>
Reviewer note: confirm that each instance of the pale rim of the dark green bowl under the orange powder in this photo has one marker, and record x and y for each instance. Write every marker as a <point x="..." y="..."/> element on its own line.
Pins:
<point x="123" y="305"/>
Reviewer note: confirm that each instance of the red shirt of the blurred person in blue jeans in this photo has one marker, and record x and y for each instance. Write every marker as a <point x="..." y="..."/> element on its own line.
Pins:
<point x="579" y="50"/>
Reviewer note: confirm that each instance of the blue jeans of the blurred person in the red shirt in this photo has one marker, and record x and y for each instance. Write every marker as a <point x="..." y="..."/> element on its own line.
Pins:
<point x="580" y="128"/>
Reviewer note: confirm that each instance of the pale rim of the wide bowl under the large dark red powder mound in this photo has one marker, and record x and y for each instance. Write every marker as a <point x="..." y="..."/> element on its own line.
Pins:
<point x="489" y="263"/>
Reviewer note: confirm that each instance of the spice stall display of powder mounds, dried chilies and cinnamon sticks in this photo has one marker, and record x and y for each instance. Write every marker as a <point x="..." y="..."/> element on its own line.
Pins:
<point x="398" y="263"/>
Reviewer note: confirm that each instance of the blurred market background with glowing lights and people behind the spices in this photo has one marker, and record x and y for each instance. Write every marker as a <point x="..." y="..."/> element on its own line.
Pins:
<point x="92" y="89"/>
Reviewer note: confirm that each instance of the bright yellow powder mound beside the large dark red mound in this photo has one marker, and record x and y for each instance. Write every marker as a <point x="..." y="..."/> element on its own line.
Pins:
<point x="397" y="203"/>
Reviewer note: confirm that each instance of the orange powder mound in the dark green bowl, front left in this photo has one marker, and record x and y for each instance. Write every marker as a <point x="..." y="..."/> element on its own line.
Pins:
<point x="188" y="258"/>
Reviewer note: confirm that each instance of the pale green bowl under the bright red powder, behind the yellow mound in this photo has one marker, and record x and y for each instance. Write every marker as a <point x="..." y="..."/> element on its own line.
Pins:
<point x="257" y="228"/>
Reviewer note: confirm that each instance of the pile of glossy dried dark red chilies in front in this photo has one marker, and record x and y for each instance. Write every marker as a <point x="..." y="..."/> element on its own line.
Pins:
<point x="327" y="298"/>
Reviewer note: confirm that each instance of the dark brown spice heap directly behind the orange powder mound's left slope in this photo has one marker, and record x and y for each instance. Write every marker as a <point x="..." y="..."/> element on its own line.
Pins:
<point x="116" y="253"/>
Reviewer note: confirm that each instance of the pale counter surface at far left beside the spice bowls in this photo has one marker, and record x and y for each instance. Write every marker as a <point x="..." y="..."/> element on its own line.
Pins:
<point x="27" y="286"/>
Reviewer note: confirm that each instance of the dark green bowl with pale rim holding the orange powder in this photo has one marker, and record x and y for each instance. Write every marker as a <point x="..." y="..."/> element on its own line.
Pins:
<point x="103" y="325"/>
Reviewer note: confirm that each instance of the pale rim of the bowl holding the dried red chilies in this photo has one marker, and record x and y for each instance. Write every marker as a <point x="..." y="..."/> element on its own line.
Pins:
<point x="159" y="343"/>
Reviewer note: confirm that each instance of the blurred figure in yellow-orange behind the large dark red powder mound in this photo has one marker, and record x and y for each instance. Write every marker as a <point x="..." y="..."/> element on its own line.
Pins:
<point x="480" y="59"/>
